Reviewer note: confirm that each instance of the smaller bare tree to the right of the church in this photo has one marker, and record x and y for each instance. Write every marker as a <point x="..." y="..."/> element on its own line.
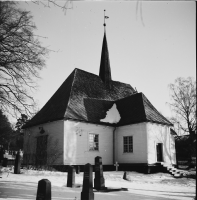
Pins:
<point x="183" y="95"/>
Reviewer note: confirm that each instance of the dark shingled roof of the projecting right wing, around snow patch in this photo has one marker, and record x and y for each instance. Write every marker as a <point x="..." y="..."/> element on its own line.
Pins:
<point x="133" y="109"/>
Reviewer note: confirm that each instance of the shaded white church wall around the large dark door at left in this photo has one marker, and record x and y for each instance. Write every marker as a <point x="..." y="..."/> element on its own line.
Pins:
<point x="54" y="130"/>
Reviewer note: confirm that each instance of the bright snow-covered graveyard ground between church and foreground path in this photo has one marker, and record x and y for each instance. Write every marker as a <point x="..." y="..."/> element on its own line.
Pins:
<point x="156" y="185"/>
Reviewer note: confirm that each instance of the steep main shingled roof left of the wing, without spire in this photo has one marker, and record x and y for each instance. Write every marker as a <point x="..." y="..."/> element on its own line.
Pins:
<point x="71" y="100"/>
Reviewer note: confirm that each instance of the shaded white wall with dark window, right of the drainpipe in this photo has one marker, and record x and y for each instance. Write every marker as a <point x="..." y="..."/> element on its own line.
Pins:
<point x="139" y="155"/>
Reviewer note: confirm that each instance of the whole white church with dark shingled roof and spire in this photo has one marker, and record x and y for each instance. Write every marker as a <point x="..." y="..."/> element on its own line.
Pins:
<point x="92" y="115"/>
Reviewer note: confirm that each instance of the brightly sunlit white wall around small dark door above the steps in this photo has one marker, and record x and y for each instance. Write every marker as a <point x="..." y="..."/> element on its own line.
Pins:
<point x="160" y="134"/>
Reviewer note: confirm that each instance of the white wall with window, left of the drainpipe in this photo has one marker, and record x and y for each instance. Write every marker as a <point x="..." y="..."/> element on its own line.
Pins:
<point x="76" y="143"/>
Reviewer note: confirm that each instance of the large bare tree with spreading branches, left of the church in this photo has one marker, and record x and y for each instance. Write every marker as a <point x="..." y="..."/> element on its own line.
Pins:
<point x="21" y="59"/>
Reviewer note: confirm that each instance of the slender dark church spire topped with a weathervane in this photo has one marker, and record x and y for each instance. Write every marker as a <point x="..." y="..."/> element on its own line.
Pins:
<point x="105" y="71"/>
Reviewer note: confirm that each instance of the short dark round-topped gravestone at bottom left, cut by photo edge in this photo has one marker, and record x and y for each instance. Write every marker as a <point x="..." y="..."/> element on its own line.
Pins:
<point x="44" y="190"/>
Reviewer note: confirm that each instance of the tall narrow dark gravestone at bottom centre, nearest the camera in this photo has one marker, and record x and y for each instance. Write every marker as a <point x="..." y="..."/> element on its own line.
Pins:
<point x="87" y="191"/>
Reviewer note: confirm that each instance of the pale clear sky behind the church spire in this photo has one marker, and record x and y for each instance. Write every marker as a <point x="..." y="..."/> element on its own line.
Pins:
<point x="150" y="44"/>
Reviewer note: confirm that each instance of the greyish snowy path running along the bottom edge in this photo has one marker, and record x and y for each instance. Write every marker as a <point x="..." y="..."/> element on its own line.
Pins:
<point x="27" y="191"/>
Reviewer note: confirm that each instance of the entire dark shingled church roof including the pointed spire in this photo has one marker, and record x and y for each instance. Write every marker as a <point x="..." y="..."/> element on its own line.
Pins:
<point x="87" y="97"/>
